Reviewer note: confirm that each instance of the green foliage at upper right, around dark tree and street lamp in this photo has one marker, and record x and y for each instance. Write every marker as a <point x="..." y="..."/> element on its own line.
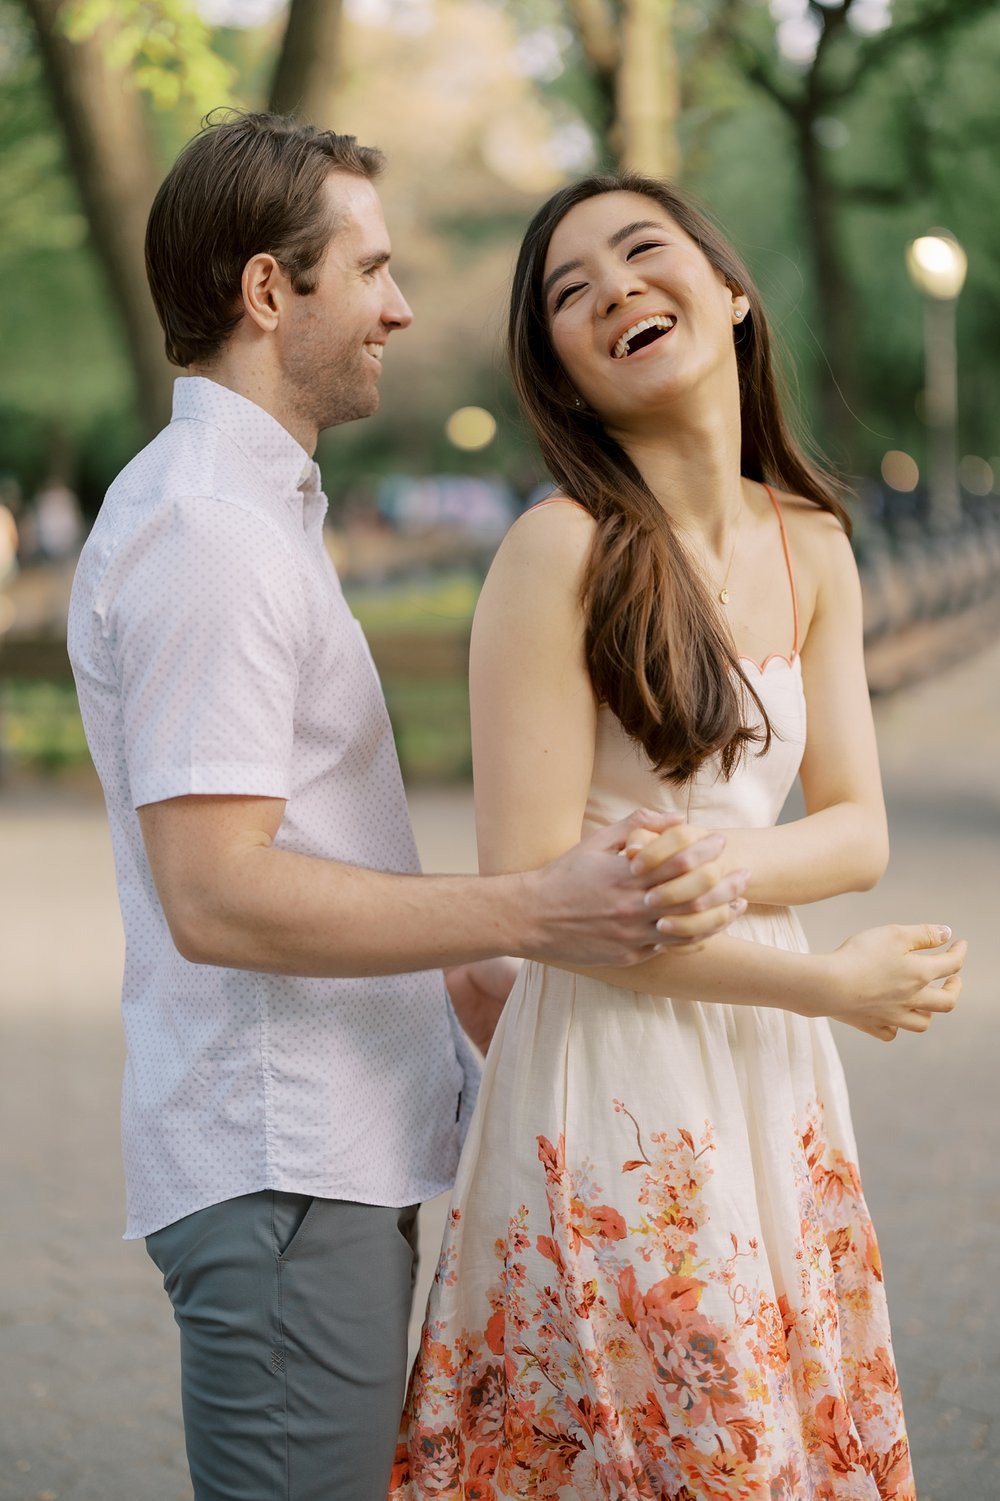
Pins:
<point x="912" y="143"/>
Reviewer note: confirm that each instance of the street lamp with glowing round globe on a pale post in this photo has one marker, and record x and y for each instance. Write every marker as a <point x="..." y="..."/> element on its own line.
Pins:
<point x="938" y="266"/>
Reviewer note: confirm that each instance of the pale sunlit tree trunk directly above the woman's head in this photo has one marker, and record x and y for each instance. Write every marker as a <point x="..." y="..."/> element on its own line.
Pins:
<point x="648" y="94"/>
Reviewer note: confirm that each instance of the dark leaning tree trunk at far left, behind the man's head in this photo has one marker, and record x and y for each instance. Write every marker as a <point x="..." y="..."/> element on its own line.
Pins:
<point x="109" y="148"/>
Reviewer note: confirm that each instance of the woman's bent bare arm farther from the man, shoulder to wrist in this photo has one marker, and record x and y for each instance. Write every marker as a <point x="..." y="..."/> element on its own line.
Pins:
<point x="842" y="844"/>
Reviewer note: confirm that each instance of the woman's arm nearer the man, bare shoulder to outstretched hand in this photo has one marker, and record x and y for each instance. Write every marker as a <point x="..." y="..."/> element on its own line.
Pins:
<point x="534" y="721"/>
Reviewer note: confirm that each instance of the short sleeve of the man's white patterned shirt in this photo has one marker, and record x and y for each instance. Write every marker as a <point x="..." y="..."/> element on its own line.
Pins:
<point x="208" y="624"/>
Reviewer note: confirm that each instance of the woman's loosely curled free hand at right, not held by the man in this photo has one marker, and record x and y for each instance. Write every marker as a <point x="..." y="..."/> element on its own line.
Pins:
<point x="885" y="979"/>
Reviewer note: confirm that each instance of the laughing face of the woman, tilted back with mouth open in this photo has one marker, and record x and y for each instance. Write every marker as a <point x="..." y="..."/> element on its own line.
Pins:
<point x="637" y="316"/>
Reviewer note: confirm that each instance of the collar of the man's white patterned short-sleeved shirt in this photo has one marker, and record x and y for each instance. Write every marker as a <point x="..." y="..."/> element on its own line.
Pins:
<point x="289" y="471"/>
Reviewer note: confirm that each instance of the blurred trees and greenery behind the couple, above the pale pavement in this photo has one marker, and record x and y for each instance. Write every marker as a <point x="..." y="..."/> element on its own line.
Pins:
<point x="851" y="149"/>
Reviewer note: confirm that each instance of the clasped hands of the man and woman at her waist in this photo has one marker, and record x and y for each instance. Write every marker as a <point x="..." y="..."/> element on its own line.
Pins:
<point x="597" y="909"/>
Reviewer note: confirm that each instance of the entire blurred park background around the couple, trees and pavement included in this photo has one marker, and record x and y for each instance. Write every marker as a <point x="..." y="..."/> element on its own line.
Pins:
<point x="852" y="151"/>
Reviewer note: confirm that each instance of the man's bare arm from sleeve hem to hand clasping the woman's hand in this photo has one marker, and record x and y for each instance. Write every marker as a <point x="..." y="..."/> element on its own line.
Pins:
<point x="233" y="898"/>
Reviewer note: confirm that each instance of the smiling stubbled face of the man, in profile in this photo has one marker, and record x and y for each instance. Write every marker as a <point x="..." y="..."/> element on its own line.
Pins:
<point x="336" y="337"/>
